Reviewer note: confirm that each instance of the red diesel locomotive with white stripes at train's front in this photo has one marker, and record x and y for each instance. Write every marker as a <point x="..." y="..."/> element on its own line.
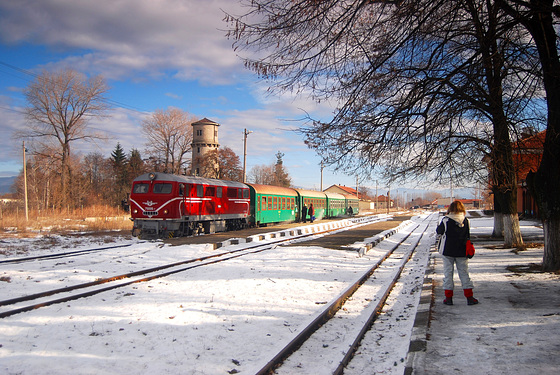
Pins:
<point x="166" y="205"/>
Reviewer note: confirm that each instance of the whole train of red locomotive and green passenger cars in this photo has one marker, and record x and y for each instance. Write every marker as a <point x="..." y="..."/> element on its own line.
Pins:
<point x="165" y="205"/>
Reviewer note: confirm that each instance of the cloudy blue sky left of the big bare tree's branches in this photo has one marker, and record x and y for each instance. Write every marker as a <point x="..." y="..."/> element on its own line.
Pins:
<point x="154" y="54"/>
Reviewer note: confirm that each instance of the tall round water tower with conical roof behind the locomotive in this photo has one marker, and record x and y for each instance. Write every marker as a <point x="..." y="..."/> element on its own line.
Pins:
<point x="205" y="139"/>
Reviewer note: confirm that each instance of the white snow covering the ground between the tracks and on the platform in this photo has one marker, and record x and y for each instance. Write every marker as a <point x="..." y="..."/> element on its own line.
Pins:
<point x="232" y="317"/>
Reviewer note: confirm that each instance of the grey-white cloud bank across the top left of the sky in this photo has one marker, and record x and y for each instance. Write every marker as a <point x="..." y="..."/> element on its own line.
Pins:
<point x="122" y="38"/>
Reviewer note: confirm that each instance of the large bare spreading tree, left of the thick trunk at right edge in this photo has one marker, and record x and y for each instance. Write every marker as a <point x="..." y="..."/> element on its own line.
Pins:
<point x="425" y="88"/>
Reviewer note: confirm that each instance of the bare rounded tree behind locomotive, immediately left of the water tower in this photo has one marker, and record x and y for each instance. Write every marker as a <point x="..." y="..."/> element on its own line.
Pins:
<point x="169" y="136"/>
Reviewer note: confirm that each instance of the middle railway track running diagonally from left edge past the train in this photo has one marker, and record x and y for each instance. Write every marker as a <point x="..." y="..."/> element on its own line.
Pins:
<point x="73" y="292"/>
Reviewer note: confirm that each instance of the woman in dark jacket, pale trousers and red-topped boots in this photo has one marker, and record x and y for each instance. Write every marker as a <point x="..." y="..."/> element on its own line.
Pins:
<point x="454" y="229"/>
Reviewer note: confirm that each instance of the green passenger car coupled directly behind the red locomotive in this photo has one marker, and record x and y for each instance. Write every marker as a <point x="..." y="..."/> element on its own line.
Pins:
<point x="272" y="204"/>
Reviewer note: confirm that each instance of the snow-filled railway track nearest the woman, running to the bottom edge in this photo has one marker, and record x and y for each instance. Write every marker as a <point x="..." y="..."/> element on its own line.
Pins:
<point x="328" y="343"/>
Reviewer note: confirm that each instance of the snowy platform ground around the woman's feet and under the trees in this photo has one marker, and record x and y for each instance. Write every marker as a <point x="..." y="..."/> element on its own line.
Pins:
<point x="515" y="328"/>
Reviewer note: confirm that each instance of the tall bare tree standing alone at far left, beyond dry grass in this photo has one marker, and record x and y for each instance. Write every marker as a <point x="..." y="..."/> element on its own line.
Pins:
<point x="60" y="106"/>
